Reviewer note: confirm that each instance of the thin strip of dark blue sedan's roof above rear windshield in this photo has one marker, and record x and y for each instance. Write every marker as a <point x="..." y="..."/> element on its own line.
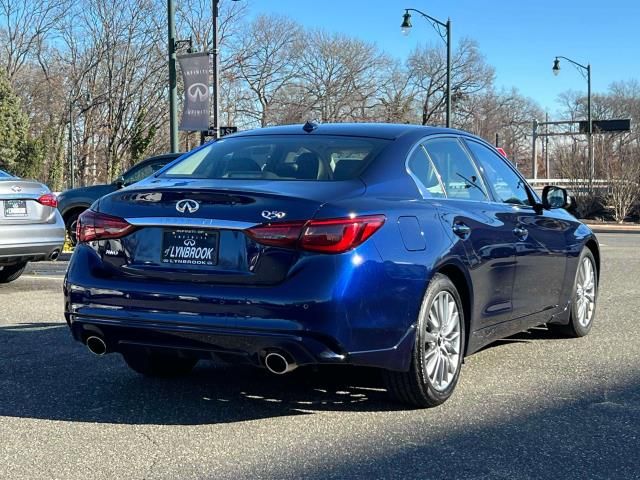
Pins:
<point x="376" y="130"/>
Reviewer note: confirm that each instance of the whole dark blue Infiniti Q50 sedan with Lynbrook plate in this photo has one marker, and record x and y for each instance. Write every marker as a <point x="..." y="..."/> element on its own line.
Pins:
<point x="392" y="246"/>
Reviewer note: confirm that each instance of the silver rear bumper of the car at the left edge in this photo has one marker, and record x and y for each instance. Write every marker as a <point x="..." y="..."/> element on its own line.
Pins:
<point x="31" y="242"/>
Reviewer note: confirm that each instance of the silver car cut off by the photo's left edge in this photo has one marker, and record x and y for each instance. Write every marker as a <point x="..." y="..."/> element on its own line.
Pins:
<point x="31" y="229"/>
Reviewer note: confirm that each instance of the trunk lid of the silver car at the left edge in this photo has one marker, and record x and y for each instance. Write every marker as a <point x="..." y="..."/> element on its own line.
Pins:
<point x="19" y="202"/>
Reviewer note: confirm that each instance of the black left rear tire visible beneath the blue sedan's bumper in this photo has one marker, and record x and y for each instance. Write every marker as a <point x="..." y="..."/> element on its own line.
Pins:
<point x="152" y="363"/>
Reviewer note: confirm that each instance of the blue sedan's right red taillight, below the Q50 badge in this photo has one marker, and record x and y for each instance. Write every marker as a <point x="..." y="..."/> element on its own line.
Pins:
<point x="335" y="235"/>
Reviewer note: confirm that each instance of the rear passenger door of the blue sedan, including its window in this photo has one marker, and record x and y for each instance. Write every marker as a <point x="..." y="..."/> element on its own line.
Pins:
<point x="483" y="227"/>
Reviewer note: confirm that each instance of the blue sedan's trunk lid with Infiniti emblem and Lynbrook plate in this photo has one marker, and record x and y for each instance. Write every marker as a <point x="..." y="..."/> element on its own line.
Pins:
<point x="196" y="230"/>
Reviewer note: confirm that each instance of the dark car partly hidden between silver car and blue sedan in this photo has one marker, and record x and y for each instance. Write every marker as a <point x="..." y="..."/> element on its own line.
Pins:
<point x="72" y="203"/>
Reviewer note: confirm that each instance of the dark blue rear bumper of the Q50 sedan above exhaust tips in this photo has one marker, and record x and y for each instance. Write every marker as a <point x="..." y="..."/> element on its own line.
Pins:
<point x="356" y="316"/>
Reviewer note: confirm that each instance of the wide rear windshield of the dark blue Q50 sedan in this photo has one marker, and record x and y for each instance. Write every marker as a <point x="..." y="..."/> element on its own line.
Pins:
<point x="294" y="157"/>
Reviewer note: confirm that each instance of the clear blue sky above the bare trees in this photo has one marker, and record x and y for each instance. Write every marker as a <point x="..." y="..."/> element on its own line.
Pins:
<point x="518" y="38"/>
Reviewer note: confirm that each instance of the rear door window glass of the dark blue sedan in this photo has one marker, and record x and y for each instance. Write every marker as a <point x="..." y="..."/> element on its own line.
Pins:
<point x="458" y="173"/>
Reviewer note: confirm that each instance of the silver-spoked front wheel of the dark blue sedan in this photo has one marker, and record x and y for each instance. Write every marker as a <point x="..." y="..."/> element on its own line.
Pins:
<point x="583" y="302"/>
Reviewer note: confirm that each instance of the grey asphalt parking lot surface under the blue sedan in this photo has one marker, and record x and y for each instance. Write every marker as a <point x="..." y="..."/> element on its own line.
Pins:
<point x="532" y="406"/>
